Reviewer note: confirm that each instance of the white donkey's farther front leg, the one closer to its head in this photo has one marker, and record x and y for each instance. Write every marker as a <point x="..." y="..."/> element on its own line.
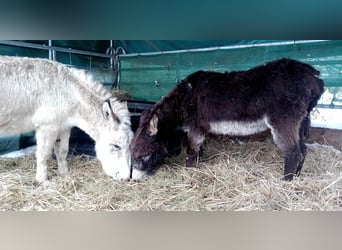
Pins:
<point x="61" y="151"/>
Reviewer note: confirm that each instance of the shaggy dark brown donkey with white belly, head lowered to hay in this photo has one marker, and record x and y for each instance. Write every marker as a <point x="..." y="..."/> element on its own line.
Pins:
<point x="278" y="95"/>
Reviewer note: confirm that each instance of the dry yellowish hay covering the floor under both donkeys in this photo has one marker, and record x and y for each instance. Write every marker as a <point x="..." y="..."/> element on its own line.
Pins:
<point x="230" y="176"/>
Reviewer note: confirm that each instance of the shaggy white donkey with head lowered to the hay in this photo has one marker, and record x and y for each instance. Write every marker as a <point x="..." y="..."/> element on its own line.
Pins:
<point x="50" y="98"/>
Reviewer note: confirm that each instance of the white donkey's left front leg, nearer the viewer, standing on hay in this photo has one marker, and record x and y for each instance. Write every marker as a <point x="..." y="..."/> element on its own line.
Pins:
<point x="45" y="140"/>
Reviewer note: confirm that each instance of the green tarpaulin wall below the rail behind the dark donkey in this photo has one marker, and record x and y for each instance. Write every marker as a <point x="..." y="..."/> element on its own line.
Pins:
<point x="149" y="77"/>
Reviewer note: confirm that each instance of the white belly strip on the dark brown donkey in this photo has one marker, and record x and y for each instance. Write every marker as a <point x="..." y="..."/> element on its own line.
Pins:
<point x="239" y="128"/>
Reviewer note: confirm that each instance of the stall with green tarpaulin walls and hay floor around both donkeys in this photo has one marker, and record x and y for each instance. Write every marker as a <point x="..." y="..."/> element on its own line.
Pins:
<point x="233" y="174"/>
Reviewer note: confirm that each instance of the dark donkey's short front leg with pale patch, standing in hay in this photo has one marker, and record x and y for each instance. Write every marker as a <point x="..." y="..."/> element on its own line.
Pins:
<point x="195" y="140"/>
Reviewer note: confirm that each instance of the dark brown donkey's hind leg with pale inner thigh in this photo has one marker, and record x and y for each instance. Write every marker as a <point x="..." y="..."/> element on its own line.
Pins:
<point x="286" y="136"/>
